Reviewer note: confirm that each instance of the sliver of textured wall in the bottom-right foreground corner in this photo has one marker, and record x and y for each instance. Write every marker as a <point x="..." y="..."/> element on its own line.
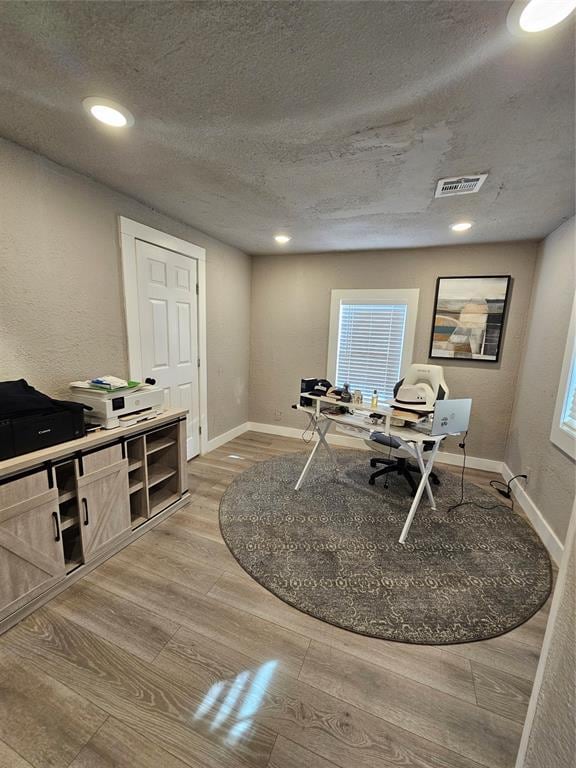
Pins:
<point x="551" y="740"/>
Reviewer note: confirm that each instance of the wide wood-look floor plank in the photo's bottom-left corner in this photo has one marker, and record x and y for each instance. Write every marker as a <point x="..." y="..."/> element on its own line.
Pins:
<point x="41" y="719"/>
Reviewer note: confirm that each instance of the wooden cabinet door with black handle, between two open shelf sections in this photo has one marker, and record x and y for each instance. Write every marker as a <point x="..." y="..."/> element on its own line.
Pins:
<point x="104" y="507"/>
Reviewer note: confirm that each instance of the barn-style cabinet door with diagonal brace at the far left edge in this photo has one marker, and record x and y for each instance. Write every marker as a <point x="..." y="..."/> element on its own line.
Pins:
<point x="31" y="552"/>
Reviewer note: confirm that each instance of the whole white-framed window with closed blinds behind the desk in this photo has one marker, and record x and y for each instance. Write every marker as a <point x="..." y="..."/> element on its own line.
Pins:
<point x="371" y="338"/>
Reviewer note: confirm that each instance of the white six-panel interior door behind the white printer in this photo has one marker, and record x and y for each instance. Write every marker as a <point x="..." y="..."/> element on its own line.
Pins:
<point x="168" y="311"/>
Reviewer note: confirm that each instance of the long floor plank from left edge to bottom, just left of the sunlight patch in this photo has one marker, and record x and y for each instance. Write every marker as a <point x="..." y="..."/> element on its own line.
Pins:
<point x="158" y="707"/>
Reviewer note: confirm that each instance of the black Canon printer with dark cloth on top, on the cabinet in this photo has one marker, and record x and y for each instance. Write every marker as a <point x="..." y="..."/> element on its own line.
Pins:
<point x="30" y="420"/>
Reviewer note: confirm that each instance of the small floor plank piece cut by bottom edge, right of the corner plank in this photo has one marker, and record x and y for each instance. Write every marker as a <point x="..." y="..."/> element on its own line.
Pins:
<point x="116" y="745"/>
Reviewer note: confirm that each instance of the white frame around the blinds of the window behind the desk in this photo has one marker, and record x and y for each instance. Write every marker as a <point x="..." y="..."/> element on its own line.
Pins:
<point x="407" y="296"/>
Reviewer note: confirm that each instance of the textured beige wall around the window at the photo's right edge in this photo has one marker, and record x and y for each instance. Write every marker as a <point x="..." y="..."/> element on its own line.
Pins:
<point x="552" y="474"/>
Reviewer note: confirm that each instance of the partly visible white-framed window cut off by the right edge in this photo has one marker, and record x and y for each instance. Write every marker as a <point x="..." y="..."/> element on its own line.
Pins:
<point x="563" y="432"/>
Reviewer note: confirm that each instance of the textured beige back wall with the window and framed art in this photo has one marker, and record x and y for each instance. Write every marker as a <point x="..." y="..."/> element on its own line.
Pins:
<point x="290" y="319"/>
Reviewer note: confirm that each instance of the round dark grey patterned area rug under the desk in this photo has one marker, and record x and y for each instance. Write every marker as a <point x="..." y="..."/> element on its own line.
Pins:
<point x="331" y="550"/>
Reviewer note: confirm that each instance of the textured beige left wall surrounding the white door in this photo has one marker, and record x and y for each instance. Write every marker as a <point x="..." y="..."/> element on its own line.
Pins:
<point x="61" y="307"/>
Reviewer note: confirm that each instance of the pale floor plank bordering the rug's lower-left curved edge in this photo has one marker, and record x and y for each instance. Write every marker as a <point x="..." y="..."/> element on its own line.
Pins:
<point x="426" y="664"/>
